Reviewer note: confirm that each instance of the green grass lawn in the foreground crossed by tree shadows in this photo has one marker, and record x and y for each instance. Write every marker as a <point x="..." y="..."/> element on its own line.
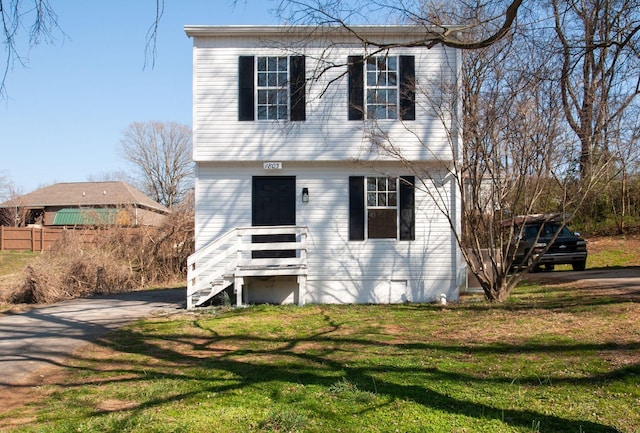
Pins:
<point x="540" y="362"/>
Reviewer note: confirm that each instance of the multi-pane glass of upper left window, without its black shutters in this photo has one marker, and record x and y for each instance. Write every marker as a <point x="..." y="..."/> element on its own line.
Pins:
<point x="272" y="88"/>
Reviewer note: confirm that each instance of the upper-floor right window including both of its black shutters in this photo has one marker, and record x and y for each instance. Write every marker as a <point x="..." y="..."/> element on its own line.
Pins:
<point x="382" y="87"/>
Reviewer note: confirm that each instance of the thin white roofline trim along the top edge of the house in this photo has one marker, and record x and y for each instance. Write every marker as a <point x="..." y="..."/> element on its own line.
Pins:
<point x="284" y="30"/>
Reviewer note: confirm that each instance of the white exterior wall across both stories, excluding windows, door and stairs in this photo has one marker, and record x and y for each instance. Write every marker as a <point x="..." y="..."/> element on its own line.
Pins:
<point x="322" y="152"/>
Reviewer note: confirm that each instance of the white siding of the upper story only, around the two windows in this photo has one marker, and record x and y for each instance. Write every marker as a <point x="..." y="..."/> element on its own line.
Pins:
<point x="326" y="135"/>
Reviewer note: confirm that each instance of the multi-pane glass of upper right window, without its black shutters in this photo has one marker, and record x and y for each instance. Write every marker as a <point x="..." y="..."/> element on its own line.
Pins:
<point x="382" y="87"/>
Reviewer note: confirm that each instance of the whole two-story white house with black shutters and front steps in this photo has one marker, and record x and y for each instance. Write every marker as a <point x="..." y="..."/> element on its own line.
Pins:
<point x="296" y="199"/>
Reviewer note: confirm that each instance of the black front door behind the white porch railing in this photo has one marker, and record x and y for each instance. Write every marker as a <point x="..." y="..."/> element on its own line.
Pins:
<point x="274" y="204"/>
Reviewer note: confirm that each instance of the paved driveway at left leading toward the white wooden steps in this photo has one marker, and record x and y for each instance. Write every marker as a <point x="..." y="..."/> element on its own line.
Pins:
<point x="47" y="335"/>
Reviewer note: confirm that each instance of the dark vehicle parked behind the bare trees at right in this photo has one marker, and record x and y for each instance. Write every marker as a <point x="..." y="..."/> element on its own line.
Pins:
<point x="567" y="249"/>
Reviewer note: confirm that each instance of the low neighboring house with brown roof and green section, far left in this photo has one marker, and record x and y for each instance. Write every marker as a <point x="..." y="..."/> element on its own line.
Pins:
<point x="86" y="204"/>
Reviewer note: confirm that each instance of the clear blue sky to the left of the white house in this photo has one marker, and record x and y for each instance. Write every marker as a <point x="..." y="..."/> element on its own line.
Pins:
<point x="65" y="112"/>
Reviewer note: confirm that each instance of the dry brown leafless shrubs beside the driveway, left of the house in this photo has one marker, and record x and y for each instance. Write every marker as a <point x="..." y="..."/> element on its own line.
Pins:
<point x="108" y="260"/>
